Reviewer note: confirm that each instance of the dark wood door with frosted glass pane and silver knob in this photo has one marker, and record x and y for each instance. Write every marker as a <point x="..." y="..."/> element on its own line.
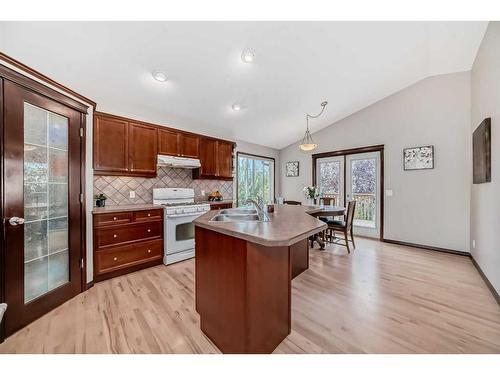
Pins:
<point x="41" y="203"/>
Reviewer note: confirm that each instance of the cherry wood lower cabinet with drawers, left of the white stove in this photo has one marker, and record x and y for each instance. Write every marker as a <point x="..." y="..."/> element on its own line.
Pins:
<point x="127" y="241"/>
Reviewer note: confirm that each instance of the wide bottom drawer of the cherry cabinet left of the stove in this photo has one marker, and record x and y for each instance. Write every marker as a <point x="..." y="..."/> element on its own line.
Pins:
<point x="125" y="256"/>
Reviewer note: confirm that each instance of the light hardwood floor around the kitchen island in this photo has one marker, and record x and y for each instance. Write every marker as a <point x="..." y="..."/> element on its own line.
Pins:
<point x="381" y="298"/>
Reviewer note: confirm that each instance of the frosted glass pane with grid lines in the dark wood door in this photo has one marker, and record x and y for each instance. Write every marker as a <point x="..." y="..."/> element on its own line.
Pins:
<point x="46" y="256"/>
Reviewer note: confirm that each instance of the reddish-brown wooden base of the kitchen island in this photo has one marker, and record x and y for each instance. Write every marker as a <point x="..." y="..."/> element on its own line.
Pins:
<point x="243" y="290"/>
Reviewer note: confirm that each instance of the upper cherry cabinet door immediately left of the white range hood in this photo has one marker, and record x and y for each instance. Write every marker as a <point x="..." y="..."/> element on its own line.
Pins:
<point x="142" y="149"/>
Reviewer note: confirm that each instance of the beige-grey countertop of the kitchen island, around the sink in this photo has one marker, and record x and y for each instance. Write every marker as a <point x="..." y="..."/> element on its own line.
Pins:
<point x="286" y="226"/>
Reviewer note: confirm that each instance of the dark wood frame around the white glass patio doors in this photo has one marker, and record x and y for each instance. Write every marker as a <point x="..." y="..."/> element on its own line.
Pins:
<point x="351" y="151"/>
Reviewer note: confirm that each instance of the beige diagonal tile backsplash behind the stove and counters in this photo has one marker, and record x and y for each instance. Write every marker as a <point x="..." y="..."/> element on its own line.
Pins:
<point x="117" y="188"/>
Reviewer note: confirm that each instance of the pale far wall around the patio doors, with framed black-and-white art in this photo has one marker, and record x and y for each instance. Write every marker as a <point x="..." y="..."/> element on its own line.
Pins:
<point x="429" y="207"/>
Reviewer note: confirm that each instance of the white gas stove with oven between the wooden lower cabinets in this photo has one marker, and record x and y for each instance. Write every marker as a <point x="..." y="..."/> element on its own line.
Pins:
<point x="180" y="211"/>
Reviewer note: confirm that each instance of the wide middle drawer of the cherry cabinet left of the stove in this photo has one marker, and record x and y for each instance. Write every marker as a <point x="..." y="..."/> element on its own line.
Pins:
<point x="127" y="233"/>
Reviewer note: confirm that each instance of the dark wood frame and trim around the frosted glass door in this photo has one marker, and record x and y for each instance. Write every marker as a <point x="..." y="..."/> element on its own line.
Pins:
<point x="7" y="74"/>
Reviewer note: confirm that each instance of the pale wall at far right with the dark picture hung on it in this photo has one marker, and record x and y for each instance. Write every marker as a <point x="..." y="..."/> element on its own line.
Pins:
<point x="485" y="198"/>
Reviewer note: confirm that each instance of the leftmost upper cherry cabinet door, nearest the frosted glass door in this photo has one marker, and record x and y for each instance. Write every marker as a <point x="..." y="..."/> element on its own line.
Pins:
<point x="110" y="145"/>
